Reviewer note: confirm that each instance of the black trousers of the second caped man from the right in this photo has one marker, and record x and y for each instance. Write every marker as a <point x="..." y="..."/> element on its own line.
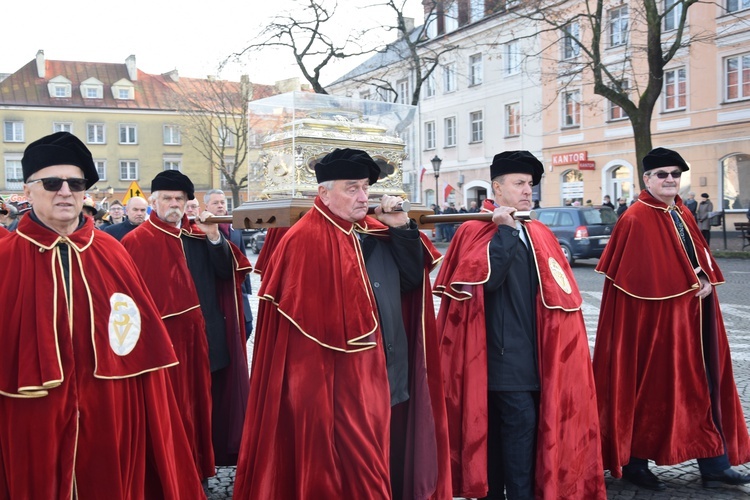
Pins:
<point x="511" y="450"/>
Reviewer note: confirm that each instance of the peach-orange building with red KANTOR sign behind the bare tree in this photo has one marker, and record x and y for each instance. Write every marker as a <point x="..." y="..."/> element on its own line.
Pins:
<point x="703" y="110"/>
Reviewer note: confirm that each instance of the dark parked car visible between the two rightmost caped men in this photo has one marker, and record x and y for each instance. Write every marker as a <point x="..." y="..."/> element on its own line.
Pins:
<point x="583" y="232"/>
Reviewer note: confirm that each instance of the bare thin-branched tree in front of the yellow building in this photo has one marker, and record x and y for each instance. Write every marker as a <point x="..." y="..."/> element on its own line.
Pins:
<point x="215" y="122"/>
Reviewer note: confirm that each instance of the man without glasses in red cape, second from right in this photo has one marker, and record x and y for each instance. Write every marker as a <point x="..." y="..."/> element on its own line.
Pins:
<point x="498" y="277"/>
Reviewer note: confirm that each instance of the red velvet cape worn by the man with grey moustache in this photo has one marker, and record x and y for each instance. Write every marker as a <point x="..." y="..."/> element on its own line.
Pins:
<point x="213" y="409"/>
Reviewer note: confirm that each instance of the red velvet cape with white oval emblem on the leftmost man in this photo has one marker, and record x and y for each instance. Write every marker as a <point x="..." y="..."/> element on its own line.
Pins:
<point x="75" y="406"/>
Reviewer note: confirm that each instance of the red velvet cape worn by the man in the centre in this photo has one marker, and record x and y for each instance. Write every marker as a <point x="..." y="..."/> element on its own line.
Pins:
<point x="318" y="416"/>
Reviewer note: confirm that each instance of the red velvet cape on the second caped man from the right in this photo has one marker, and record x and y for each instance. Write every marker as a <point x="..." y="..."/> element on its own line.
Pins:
<point x="568" y="461"/>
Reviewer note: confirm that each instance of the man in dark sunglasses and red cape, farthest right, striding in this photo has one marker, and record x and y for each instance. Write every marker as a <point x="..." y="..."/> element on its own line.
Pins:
<point x="661" y="362"/>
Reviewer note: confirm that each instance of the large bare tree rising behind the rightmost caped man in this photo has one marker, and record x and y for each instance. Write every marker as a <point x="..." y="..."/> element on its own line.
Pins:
<point x="633" y="80"/>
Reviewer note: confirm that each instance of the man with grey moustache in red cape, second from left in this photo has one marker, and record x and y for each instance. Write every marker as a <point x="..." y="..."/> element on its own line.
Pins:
<point x="195" y="278"/>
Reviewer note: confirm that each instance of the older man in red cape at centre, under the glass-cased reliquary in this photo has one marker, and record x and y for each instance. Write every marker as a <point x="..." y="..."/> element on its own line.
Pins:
<point x="319" y="422"/>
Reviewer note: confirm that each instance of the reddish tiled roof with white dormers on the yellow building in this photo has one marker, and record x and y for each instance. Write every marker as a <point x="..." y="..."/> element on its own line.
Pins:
<point x="152" y="92"/>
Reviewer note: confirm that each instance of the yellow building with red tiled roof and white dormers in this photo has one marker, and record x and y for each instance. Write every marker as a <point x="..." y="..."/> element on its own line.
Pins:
<point x="135" y="124"/>
